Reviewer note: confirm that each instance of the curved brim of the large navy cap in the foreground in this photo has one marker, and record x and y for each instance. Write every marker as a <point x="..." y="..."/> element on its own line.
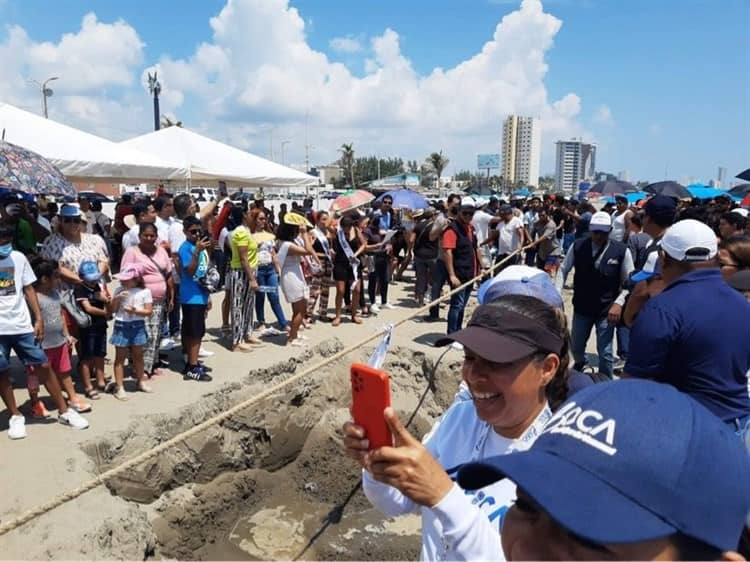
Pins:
<point x="577" y="499"/>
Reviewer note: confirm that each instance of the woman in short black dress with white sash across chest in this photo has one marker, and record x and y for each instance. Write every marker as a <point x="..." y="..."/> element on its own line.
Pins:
<point x="348" y="245"/>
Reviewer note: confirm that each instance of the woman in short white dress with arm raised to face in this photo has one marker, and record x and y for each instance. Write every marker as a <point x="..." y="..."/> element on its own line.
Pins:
<point x="293" y="283"/>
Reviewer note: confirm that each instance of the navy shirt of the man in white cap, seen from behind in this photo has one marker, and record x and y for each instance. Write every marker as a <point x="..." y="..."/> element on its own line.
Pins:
<point x="696" y="337"/>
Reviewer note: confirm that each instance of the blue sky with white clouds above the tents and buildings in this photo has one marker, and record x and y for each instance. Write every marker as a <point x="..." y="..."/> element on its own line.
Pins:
<point x="662" y="86"/>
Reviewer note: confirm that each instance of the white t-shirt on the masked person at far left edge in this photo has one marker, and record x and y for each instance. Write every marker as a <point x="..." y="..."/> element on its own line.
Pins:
<point x="15" y="274"/>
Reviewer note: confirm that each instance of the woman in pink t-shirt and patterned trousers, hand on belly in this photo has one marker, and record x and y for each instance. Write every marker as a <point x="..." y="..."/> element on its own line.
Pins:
<point x="156" y="270"/>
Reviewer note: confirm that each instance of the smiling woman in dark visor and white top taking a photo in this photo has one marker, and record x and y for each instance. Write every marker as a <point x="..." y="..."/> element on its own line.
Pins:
<point x="516" y="369"/>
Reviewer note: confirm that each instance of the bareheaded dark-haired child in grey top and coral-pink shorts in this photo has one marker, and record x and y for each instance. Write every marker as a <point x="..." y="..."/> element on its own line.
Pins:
<point x="57" y="341"/>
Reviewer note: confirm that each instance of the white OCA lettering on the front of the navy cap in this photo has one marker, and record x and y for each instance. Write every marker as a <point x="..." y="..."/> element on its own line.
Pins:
<point x="587" y="426"/>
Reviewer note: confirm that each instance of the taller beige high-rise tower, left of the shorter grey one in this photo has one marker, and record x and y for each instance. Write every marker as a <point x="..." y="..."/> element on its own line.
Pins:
<point x="522" y="150"/>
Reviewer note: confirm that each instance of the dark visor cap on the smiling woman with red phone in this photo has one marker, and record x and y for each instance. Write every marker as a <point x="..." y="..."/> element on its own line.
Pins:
<point x="503" y="336"/>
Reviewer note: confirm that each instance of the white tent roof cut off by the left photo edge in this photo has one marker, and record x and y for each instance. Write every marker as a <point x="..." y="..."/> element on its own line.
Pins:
<point x="82" y="156"/>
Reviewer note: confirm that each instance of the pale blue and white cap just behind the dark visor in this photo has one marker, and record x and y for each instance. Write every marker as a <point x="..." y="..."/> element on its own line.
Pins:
<point x="520" y="280"/>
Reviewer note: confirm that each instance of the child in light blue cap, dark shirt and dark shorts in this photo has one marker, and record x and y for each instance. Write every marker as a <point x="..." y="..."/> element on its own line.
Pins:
<point x="93" y="340"/>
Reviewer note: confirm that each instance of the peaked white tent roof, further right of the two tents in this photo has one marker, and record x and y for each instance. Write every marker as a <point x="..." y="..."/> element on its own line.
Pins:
<point x="210" y="160"/>
